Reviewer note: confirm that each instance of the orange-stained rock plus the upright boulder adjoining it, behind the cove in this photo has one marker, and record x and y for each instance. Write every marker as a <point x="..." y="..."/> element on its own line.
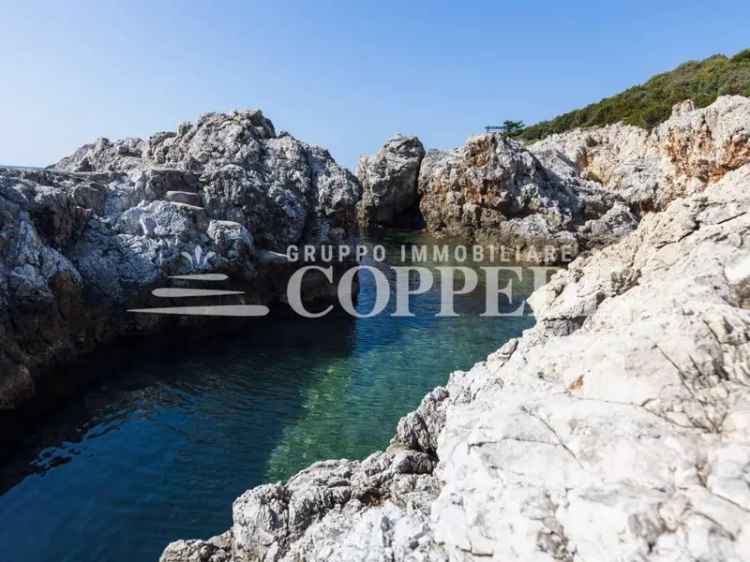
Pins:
<point x="492" y="191"/>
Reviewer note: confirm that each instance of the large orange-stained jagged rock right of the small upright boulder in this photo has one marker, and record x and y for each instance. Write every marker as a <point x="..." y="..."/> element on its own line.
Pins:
<point x="494" y="191"/>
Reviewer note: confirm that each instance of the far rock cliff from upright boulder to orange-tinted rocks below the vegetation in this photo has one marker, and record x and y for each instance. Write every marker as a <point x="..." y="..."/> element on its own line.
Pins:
<point x="571" y="192"/>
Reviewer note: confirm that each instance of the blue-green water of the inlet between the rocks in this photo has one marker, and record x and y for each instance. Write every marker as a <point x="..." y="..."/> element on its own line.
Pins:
<point x="159" y="449"/>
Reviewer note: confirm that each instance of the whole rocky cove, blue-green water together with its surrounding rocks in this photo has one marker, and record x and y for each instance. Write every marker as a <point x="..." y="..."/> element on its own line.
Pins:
<point x="606" y="427"/>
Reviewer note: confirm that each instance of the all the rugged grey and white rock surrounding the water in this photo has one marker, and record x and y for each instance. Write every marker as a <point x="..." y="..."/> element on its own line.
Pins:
<point x="617" y="428"/>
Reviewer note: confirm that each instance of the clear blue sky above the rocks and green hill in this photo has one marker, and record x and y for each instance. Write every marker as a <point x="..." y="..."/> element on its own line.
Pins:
<point x="344" y="75"/>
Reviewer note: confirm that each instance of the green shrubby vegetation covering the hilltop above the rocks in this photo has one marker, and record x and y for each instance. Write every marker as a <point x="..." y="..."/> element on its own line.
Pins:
<point x="649" y="104"/>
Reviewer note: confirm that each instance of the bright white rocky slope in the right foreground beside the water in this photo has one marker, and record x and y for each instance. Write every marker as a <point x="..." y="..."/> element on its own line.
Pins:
<point x="618" y="428"/>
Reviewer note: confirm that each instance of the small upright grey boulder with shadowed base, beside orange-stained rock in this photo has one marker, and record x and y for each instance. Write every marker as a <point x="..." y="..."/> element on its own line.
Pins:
<point x="389" y="182"/>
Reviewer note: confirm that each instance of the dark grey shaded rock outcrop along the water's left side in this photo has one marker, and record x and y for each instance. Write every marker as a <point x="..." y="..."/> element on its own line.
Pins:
<point x="90" y="237"/>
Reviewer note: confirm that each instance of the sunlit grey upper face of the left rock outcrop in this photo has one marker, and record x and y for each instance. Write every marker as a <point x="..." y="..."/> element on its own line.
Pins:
<point x="281" y="189"/>
